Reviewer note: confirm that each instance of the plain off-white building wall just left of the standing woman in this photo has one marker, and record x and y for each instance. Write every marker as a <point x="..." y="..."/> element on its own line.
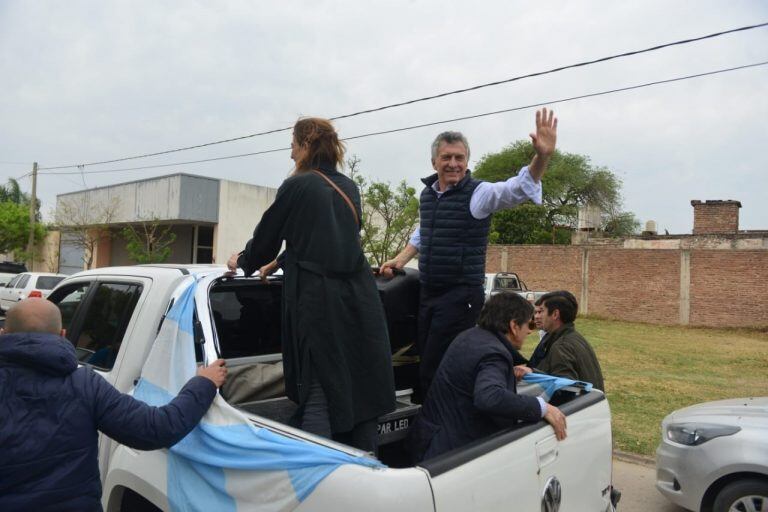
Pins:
<point x="240" y="208"/>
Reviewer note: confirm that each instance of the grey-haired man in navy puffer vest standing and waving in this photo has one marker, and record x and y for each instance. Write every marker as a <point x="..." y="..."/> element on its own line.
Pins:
<point x="452" y="237"/>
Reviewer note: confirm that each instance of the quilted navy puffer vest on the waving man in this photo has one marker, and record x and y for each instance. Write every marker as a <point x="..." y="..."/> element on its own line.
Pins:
<point x="453" y="242"/>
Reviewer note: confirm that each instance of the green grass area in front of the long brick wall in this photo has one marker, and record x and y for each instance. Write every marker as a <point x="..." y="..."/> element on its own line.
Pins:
<point x="651" y="370"/>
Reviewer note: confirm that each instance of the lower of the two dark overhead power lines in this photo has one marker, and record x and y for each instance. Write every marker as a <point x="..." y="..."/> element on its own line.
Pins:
<point x="434" y="123"/>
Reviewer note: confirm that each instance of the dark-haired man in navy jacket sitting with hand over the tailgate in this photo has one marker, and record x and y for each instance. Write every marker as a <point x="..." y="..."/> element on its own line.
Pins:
<point x="474" y="391"/>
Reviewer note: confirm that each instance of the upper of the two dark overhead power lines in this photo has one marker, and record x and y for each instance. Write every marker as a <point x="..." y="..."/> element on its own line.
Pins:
<point x="425" y="98"/>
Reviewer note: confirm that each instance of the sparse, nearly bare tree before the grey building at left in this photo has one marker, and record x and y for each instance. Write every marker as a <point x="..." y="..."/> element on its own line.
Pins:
<point x="84" y="224"/>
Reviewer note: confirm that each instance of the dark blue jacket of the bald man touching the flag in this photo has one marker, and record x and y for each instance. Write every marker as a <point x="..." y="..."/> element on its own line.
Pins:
<point x="50" y="411"/>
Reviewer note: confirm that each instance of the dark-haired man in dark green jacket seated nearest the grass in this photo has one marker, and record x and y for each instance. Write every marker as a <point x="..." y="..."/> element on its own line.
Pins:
<point x="563" y="351"/>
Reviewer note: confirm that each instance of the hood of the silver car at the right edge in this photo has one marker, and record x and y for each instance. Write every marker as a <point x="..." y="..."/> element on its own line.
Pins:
<point x="736" y="411"/>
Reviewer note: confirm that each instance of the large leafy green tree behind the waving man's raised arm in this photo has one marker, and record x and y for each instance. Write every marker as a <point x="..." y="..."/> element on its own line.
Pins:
<point x="569" y="183"/>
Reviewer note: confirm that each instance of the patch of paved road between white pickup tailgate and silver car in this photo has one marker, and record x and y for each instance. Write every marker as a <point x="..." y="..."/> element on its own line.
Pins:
<point x="637" y="485"/>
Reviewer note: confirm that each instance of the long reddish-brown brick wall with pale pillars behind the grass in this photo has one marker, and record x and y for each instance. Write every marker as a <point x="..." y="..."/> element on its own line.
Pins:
<point x="727" y="287"/>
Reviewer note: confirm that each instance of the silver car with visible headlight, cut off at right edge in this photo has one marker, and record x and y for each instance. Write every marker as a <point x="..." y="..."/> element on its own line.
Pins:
<point x="714" y="456"/>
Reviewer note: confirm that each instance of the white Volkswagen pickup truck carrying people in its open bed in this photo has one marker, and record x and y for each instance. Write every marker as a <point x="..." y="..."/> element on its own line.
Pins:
<point x="112" y="316"/>
